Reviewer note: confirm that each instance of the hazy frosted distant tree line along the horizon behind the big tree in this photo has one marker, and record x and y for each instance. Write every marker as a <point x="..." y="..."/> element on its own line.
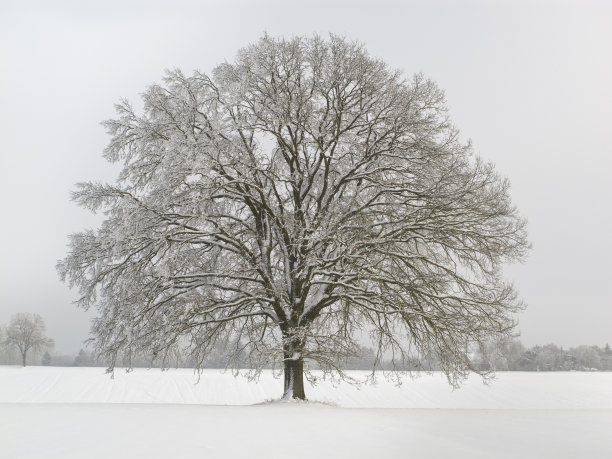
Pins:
<point x="24" y="340"/>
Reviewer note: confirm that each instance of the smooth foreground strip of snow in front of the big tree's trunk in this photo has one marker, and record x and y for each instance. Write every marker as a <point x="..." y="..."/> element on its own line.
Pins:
<point x="297" y="431"/>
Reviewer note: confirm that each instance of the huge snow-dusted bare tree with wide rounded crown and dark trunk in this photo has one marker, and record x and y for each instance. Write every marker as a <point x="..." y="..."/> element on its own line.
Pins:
<point x="284" y="203"/>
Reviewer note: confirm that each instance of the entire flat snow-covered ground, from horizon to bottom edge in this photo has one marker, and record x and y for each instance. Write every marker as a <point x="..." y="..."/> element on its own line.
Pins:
<point x="53" y="412"/>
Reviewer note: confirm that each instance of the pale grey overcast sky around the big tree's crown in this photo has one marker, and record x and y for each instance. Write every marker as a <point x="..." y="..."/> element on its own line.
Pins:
<point x="529" y="82"/>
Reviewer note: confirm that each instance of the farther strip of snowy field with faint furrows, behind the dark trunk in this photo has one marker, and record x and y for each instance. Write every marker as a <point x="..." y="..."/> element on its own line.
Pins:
<point x="510" y="390"/>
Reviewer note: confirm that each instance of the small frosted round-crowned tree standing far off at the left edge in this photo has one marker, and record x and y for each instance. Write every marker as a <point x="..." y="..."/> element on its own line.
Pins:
<point x="26" y="332"/>
